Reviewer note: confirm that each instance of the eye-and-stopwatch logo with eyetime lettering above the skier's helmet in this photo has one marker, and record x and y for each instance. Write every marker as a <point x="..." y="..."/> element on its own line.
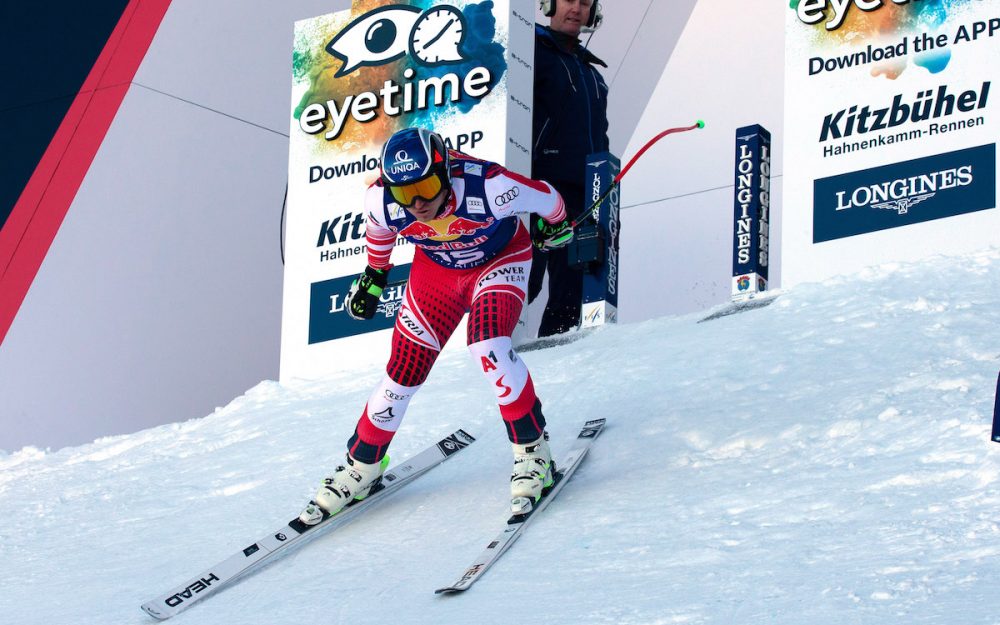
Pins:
<point x="431" y="37"/>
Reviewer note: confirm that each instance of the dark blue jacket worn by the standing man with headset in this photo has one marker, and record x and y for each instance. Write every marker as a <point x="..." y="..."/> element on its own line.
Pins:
<point x="570" y="110"/>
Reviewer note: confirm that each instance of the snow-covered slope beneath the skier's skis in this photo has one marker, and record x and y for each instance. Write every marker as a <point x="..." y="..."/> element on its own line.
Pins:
<point x="826" y="459"/>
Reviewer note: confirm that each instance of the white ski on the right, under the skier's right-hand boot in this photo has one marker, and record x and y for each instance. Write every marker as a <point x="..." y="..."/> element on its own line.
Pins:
<point x="516" y="524"/>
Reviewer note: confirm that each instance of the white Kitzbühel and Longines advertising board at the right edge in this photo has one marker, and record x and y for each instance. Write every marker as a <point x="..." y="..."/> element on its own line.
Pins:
<point x="891" y="122"/>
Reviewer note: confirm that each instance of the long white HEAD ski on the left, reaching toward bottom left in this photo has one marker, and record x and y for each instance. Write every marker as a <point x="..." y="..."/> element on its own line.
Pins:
<point x="277" y="543"/>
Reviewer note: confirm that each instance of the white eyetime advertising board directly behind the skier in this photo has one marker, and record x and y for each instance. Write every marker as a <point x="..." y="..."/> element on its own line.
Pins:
<point x="461" y="68"/>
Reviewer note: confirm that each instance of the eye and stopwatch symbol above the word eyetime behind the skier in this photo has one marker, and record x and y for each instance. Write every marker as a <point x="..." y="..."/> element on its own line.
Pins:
<point x="390" y="32"/>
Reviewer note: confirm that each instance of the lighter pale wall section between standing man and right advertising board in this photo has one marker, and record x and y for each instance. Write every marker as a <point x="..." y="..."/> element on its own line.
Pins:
<point x="727" y="70"/>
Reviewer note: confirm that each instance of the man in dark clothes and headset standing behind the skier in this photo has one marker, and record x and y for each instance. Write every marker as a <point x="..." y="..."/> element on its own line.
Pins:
<point x="570" y="122"/>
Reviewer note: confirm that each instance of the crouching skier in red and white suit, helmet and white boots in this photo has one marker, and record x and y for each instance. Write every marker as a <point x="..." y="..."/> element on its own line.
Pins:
<point x="472" y="254"/>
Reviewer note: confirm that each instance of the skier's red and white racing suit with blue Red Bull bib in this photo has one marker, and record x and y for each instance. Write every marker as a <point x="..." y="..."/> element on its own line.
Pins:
<point x="474" y="257"/>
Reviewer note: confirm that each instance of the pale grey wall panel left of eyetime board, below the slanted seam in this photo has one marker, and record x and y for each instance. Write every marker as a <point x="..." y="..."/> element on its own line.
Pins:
<point x="160" y="296"/>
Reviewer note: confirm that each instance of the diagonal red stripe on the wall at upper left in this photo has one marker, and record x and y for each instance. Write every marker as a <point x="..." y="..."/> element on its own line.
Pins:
<point x="32" y="225"/>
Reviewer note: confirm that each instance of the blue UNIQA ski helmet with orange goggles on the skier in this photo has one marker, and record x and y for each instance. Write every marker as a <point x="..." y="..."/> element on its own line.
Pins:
<point x="415" y="164"/>
